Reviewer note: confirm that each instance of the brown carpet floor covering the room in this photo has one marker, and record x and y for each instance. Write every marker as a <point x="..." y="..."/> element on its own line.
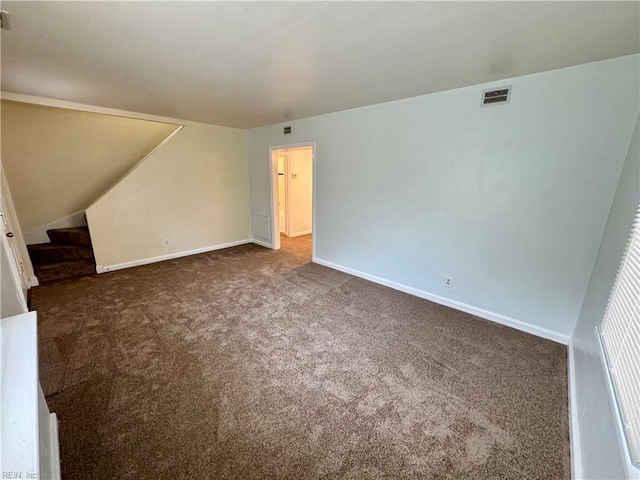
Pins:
<point x="247" y="363"/>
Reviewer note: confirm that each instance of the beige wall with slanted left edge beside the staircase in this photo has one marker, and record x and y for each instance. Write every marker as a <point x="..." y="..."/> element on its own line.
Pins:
<point x="192" y="191"/>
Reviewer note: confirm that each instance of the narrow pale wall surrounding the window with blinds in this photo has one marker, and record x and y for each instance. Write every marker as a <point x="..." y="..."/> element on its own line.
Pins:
<point x="600" y="454"/>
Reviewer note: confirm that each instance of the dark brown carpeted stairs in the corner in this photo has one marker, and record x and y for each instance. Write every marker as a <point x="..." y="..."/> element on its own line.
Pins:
<point x="69" y="255"/>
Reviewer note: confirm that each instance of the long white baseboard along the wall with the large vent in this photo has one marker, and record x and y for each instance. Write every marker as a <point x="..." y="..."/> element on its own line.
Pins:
<point x="463" y="307"/>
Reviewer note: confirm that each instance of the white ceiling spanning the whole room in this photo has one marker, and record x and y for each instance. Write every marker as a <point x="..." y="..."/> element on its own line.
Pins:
<point x="246" y="64"/>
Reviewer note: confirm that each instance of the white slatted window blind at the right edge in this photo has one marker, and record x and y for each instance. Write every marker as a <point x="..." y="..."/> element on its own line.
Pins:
<point x="620" y="331"/>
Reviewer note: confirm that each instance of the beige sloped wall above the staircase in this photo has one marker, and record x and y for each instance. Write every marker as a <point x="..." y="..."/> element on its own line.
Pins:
<point x="59" y="161"/>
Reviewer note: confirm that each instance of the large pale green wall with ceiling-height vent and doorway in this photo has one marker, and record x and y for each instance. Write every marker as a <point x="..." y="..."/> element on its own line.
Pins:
<point x="510" y="201"/>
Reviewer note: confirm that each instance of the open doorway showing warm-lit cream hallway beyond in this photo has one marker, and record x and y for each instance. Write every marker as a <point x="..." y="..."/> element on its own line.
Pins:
<point x="292" y="169"/>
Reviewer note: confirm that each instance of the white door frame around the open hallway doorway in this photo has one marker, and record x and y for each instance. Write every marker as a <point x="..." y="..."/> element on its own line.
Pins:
<point x="275" y="211"/>
